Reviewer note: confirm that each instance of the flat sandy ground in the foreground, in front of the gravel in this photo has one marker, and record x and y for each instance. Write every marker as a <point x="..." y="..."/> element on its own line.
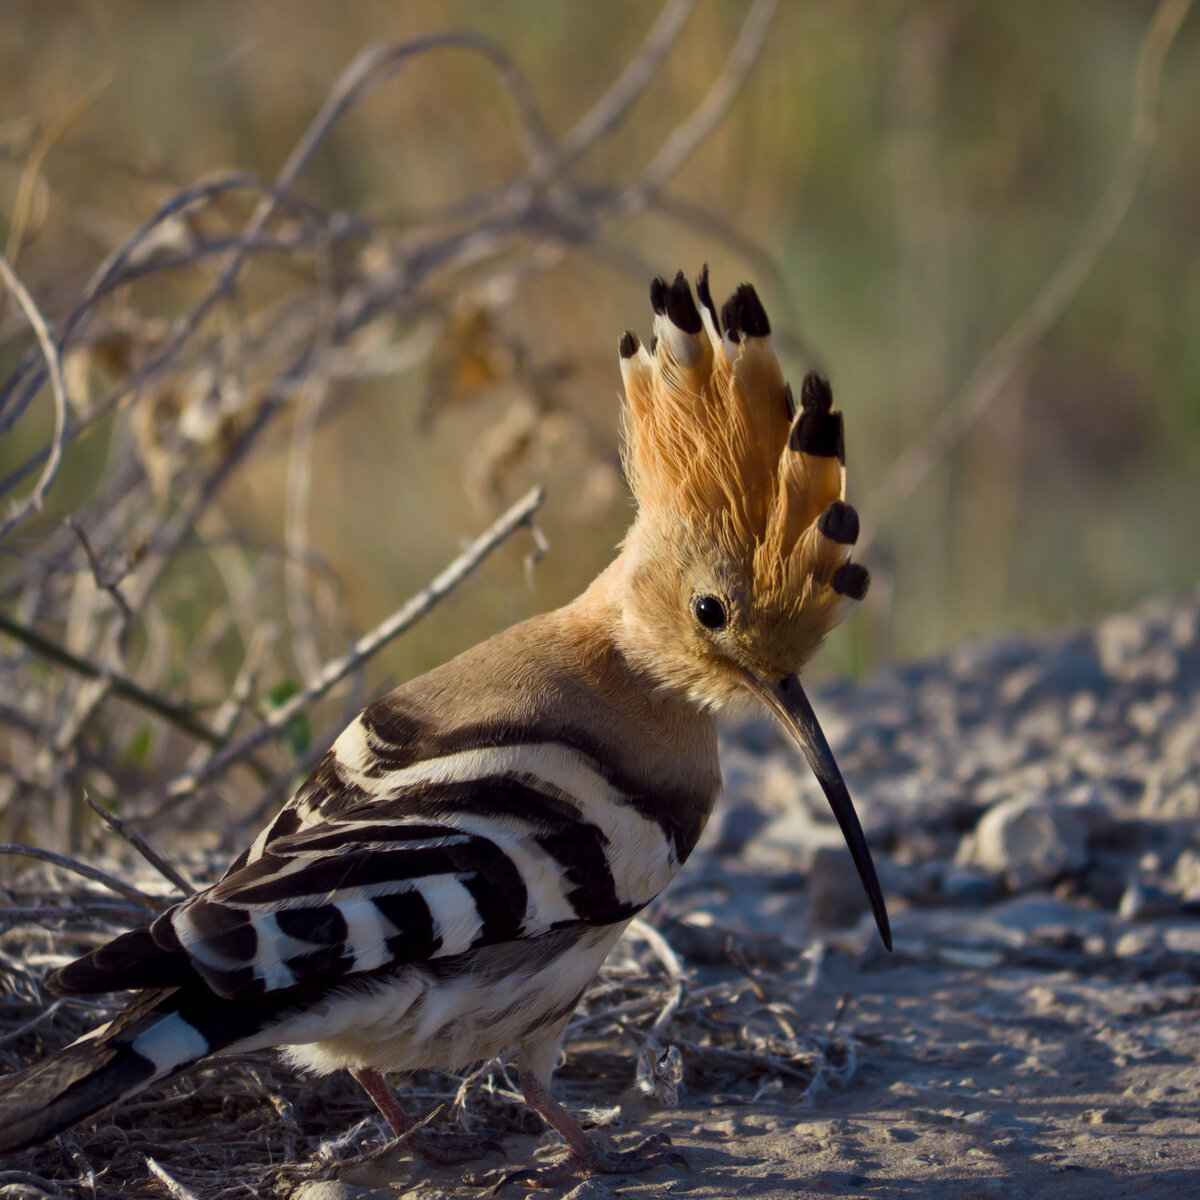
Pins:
<point x="973" y="1085"/>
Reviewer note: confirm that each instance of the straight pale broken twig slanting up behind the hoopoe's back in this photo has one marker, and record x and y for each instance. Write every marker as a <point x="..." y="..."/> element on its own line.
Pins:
<point x="335" y="671"/>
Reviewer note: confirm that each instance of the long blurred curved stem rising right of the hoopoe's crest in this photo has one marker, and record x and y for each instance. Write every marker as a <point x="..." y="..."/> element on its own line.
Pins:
<point x="998" y="370"/>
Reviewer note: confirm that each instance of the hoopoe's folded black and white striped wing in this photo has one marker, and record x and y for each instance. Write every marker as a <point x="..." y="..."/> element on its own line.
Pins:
<point x="382" y="860"/>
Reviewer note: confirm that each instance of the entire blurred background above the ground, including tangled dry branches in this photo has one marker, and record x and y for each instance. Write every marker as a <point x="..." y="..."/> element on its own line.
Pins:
<point x="423" y="323"/>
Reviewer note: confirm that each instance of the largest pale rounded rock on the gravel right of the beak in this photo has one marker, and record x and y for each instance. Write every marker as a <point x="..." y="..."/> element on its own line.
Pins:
<point x="1029" y="842"/>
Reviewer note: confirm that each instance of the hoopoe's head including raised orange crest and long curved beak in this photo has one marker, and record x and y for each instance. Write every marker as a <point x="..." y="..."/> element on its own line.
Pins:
<point x="739" y="562"/>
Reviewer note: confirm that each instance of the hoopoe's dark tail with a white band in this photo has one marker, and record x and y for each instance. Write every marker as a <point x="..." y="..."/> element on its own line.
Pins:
<point x="149" y="1041"/>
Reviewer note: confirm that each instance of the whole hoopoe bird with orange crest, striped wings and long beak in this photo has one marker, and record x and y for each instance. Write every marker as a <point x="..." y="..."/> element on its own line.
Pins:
<point x="449" y="880"/>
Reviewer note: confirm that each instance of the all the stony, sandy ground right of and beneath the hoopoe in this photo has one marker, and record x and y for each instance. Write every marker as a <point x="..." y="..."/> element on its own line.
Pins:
<point x="1034" y="811"/>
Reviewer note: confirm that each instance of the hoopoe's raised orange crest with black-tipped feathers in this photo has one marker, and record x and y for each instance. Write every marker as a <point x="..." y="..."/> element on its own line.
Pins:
<point x="715" y="439"/>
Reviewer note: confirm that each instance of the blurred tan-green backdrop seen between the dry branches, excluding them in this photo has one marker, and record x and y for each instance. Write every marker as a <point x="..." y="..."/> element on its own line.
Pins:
<point x="916" y="171"/>
